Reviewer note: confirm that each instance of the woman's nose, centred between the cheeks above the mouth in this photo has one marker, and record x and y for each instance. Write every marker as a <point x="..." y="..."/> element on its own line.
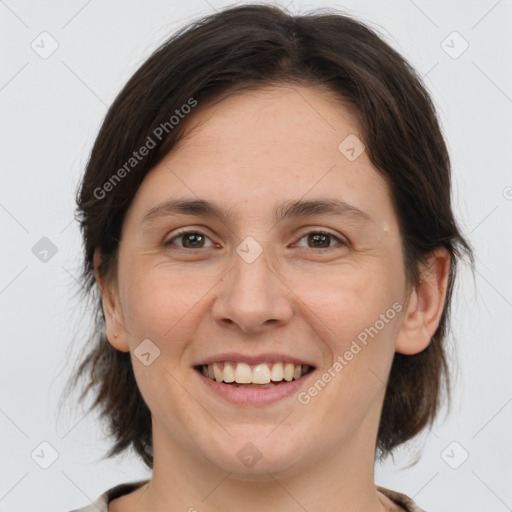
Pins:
<point x="253" y="296"/>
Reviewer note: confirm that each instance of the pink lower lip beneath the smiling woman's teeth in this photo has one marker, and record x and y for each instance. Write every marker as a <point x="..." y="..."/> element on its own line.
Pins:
<point x="254" y="396"/>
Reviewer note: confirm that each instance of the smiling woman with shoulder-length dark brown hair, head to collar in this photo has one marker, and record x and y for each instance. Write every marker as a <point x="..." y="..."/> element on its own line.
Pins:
<point x="266" y="214"/>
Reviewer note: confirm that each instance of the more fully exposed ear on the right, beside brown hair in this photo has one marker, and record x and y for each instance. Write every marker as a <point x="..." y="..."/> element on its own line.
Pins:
<point x="425" y="305"/>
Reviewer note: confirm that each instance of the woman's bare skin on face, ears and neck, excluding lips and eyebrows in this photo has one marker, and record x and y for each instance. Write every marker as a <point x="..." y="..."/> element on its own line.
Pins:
<point x="254" y="150"/>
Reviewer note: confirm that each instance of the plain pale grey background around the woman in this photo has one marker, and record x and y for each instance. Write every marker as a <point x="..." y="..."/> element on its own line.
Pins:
<point x="51" y="110"/>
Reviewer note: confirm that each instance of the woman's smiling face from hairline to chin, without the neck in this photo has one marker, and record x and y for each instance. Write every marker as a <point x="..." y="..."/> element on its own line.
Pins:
<point x="283" y="277"/>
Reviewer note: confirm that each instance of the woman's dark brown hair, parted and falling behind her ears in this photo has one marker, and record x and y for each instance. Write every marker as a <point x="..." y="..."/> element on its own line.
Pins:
<point x="253" y="46"/>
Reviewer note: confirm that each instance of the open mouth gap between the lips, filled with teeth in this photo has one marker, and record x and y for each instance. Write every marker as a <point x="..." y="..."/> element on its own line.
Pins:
<point x="243" y="375"/>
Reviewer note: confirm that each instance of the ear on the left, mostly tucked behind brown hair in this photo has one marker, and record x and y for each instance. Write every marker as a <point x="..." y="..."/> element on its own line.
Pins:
<point x="111" y="308"/>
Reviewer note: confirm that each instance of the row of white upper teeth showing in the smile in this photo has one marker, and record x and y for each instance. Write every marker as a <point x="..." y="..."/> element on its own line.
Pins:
<point x="264" y="373"/>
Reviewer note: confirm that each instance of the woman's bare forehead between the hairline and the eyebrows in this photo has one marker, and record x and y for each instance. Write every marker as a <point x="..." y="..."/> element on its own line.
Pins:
<point x="259" y="147"/>
